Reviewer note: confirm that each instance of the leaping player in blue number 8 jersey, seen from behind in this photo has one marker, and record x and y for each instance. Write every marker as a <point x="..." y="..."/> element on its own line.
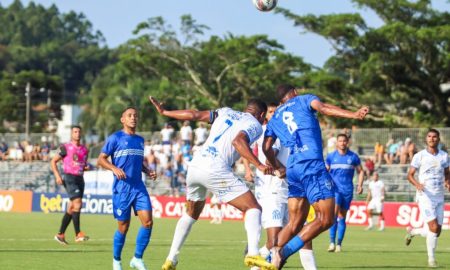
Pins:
<point x="295" y="124"/>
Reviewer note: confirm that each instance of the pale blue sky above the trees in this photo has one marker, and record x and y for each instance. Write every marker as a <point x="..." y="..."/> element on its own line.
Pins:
<point x="116" y="19"/>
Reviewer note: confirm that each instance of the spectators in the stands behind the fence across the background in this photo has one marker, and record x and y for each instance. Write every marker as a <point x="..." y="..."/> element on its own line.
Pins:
<point x="171" y="158"/>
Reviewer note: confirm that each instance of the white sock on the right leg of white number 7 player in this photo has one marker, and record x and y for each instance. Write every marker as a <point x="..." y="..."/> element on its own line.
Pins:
<point x="253" y="228"/>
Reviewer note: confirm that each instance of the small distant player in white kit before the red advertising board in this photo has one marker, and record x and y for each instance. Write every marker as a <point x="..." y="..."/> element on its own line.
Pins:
<point x="375" y="199"/>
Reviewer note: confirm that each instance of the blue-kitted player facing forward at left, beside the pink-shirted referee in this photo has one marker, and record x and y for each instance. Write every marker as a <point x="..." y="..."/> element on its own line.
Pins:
<point x="126" y="150"/>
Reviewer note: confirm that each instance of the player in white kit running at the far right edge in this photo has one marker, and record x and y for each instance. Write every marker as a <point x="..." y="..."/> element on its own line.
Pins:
<point x="434" y="177"/>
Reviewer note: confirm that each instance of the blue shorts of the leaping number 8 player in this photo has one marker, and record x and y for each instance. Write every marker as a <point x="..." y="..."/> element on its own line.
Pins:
<point x="310" y="179"/>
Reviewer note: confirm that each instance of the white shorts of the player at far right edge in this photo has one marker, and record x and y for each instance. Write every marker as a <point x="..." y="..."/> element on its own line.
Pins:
<point x="431" y="208"/>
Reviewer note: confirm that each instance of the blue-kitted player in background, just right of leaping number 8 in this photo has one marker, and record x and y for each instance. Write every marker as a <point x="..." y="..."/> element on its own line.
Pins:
<point x="342" y="164"/>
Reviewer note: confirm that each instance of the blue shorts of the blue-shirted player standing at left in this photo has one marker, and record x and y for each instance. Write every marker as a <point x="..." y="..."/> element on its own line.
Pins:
<point x="122" y="203"/>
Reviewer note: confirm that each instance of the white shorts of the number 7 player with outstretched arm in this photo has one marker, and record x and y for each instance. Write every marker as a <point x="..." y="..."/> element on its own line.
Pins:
<point x="220" y="181"/>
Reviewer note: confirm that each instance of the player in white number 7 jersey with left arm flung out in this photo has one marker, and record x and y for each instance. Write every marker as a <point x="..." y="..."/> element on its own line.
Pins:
<point x="231" y="135"/>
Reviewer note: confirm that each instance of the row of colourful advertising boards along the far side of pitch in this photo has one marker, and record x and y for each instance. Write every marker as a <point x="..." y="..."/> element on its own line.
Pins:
<point x="396" y="214"/>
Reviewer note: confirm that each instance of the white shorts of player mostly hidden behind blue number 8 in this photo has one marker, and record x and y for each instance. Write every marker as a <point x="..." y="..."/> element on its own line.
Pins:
<point x="274" y="212"/>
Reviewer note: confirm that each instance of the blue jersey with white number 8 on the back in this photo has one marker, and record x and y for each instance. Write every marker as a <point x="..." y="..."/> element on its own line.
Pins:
<point x="295" y="124"/>
